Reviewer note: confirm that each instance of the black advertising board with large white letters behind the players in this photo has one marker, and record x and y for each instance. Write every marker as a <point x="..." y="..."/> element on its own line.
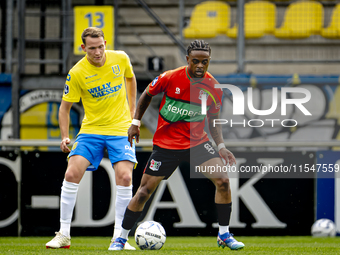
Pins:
<point x="262" y="203"/>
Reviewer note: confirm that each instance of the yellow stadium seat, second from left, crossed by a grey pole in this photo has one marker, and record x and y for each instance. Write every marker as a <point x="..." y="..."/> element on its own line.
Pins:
<point x="259" y="20"/>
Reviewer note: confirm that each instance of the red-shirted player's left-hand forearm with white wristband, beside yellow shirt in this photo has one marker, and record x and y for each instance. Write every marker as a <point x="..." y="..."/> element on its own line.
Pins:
<point x="142" y="105"/>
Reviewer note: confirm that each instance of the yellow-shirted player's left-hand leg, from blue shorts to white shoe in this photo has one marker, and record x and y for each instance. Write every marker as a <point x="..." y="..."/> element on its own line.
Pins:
<point x="86" y="154"/>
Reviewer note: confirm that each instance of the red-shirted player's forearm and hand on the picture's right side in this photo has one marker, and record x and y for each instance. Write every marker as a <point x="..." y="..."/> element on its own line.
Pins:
<point x="216" y="134"/>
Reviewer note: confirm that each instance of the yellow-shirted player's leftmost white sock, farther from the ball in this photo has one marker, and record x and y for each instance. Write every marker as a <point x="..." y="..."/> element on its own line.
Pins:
<point x="68" y="197"/>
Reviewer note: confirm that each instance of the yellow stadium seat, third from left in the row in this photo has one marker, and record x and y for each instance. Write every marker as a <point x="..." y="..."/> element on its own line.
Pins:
<point x="302" y="19"/>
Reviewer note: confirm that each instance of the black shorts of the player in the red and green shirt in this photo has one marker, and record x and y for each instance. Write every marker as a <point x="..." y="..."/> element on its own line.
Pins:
<point x="163" y="162"/>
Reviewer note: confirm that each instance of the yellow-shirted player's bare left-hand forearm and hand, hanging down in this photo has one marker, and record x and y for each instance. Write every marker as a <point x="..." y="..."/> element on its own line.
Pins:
<point x="64" y="122"/>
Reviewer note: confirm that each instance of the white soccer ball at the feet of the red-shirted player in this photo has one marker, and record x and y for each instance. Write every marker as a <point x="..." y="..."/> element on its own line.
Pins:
<point x="150" y="235"/>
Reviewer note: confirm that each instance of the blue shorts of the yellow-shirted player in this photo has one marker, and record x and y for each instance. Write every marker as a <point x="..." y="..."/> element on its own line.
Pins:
<point x="92" y="148"/>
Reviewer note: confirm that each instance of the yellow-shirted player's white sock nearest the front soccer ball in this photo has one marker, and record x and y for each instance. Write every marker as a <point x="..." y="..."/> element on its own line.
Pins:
<point x="123" y="197"/>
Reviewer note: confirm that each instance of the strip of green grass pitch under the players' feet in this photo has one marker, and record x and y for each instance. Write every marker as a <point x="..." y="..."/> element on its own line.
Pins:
<point x="178" y="245"/>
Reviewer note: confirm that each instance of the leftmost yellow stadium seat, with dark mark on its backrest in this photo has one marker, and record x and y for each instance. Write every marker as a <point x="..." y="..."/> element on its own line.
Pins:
<point x="208" y="20"/>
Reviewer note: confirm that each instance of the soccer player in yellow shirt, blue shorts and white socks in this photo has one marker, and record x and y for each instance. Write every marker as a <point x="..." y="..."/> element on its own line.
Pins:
<point x="105" y="82"/>
